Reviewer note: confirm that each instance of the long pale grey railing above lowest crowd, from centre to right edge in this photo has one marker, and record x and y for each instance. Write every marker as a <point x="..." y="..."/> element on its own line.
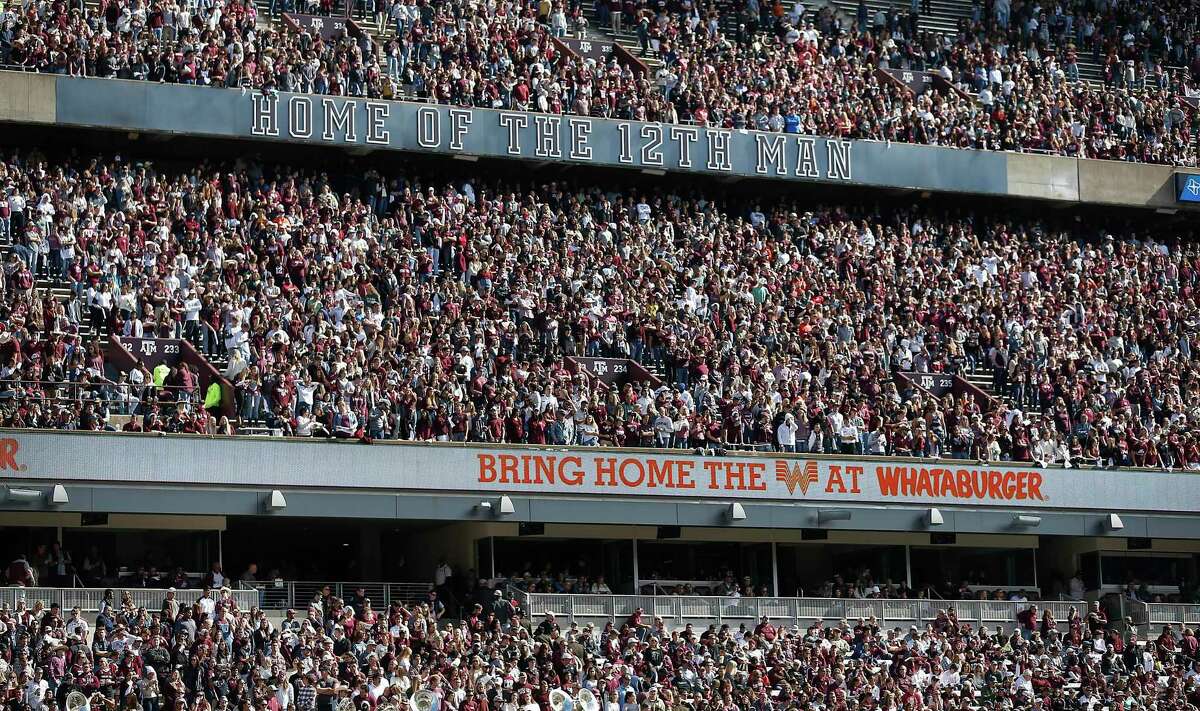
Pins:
<point x="677" y="612"/>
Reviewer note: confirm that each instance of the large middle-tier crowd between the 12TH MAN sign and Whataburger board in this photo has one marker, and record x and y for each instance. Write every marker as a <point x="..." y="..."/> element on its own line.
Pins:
<point x="409" y="307"/>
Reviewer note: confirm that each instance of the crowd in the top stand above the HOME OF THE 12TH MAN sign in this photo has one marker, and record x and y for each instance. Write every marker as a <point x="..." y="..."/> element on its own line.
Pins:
<point x="812" y="73"/>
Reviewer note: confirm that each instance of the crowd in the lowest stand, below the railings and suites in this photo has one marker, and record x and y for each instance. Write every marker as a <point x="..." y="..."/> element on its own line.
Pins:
<point x="345" y="654"/>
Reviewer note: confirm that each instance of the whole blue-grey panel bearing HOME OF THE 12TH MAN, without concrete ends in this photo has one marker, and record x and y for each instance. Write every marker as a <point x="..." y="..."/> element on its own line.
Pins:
<point x="484" y="133"/>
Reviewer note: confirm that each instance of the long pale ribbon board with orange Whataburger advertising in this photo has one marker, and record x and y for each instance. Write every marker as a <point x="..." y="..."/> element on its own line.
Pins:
<point x="153" y="459"/>
